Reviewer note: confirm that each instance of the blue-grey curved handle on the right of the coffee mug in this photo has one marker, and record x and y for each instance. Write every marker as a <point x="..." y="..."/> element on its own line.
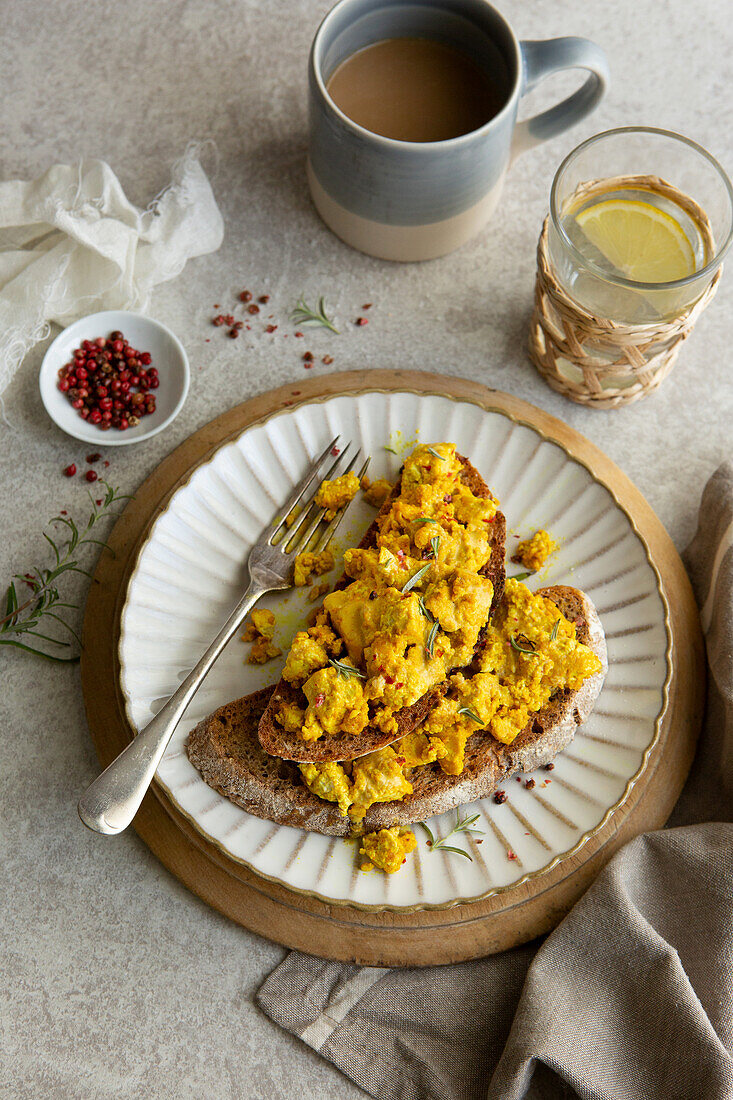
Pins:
<point x="552" y="56"/>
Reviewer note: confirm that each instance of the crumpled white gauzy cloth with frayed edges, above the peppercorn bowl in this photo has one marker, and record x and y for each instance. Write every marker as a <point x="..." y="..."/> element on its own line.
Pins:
<point x="72" y="244"/>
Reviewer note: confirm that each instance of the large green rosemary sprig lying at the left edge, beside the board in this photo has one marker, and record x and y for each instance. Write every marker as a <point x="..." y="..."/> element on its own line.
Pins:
<point x="24" y="621"/>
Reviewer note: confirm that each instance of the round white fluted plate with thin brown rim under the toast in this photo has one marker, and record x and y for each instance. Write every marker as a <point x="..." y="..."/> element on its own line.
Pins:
<point x="190" y="575"/>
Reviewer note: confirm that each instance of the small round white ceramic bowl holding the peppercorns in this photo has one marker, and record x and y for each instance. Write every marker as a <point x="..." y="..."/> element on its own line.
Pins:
<point x="168" y="355"/>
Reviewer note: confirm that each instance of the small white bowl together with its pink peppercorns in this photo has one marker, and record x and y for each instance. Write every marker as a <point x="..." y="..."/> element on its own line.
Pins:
<point x="135" y="384"/>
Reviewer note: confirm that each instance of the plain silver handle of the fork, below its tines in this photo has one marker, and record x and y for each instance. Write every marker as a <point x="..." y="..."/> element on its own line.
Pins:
<point x="111" y="804"/>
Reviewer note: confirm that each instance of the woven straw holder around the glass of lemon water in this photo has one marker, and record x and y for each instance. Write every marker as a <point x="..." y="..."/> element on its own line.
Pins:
<point x="562" y="329"/>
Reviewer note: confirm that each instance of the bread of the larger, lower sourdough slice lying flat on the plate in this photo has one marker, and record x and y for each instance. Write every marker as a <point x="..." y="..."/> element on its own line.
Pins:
<point x="226" y="751"/>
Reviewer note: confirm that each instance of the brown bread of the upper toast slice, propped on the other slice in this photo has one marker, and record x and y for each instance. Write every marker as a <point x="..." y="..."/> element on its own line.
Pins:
<point x="279" y="742"/>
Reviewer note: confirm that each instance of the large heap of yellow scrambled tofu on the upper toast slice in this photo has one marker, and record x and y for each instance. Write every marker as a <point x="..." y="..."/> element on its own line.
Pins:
<point x="415" y="606"/>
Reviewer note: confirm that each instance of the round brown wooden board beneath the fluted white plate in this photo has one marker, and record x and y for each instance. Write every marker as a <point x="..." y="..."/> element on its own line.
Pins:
<point x="388" y="939"/>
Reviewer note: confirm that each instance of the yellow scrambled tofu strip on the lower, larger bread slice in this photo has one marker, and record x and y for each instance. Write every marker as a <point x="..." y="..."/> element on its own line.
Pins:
<point x="531" y="653"/>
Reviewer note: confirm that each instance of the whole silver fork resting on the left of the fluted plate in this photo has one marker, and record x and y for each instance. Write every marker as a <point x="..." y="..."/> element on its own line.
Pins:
<point x="111" y="804"/>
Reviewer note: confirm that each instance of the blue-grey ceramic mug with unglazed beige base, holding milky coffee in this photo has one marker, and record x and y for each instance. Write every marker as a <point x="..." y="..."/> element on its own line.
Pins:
<point x="418" y="201"/>
